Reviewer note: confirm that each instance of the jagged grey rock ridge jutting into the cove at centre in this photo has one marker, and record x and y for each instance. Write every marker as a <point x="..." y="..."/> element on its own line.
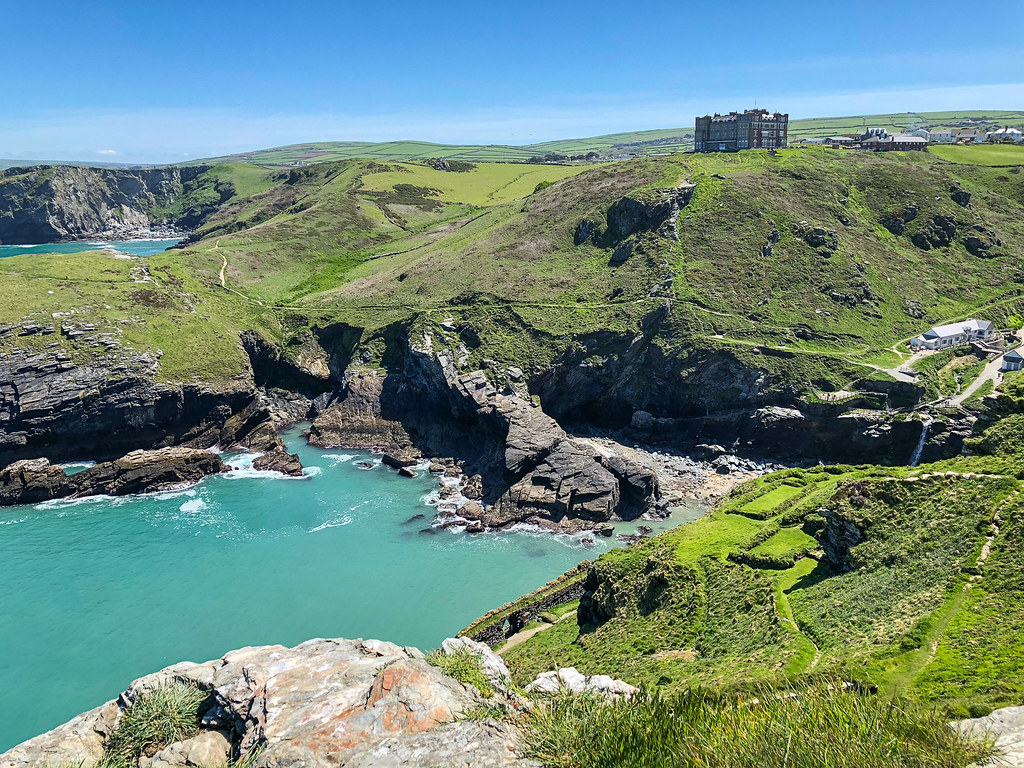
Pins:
<point x="531" y="472"/>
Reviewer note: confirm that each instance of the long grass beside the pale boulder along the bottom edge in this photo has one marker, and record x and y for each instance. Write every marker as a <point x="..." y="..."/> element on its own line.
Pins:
<point x="821" y="728"/>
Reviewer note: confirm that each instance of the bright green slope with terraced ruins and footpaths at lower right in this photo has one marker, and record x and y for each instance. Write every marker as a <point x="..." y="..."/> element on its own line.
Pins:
<point x="905" y="579"/>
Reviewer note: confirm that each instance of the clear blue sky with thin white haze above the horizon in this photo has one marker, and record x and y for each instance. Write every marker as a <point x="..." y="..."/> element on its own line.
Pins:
<point x="157" y="81"/>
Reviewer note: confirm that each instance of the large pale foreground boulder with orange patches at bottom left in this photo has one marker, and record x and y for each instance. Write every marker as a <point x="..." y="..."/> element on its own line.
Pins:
<point x="320" y="705"/>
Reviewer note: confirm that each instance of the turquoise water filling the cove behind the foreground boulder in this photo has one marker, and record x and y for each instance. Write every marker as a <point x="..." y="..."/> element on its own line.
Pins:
<point x="95" y="593"/>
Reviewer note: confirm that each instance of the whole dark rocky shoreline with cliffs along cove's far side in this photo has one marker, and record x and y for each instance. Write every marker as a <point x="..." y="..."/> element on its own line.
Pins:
<point x="509" y="463"/>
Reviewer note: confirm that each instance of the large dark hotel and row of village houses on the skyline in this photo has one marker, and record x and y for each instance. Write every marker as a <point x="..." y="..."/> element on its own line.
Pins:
<point x="758" y="130"/>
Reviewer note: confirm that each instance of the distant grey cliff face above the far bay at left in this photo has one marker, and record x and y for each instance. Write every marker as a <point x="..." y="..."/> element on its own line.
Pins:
<point x="63" y="203"/>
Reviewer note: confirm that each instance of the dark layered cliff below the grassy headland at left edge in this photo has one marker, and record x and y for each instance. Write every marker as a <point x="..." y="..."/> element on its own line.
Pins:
<point x="55" y="406"/>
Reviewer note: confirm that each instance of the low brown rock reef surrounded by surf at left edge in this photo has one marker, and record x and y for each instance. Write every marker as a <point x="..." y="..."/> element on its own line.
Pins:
<point x="31" y="482"/>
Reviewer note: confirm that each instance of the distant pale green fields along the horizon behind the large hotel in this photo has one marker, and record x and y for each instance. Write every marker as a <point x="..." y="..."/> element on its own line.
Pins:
<point x="633" y="144"/>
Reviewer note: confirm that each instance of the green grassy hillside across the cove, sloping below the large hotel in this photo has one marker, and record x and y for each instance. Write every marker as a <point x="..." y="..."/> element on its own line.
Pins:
<point x="493" y="246"/>
